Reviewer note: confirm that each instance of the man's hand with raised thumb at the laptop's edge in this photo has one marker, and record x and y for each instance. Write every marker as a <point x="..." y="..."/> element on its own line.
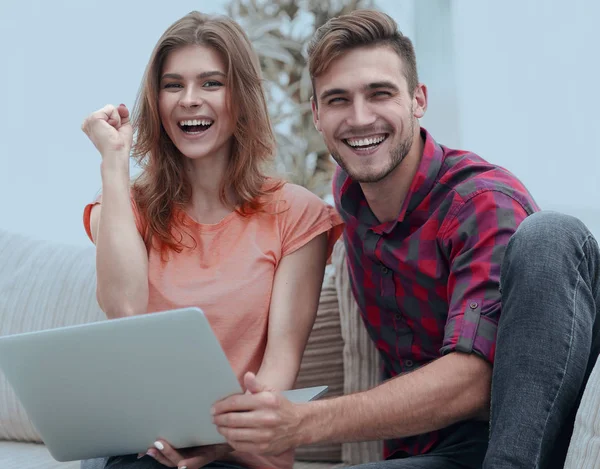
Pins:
<point x="260" y="421"/>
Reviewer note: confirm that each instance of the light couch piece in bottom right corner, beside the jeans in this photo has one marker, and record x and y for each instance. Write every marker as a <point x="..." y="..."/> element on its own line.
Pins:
<point x="584" y="449"/>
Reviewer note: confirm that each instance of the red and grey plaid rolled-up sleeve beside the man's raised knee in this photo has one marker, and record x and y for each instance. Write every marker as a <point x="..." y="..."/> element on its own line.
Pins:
<point x="476" y="240"/>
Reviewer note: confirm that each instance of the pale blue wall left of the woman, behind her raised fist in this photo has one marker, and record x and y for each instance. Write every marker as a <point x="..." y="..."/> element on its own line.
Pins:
<point x="61" y="61"/>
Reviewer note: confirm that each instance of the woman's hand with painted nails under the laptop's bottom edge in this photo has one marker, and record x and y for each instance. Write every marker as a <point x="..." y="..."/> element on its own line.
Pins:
<point x="188" y="458"/>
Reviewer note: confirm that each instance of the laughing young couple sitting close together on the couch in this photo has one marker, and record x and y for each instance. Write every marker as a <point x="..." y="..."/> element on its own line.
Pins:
<point x="484" y="310"/>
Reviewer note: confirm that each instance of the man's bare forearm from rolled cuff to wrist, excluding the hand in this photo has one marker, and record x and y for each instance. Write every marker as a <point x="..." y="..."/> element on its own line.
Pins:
<point x="453" y="388"/>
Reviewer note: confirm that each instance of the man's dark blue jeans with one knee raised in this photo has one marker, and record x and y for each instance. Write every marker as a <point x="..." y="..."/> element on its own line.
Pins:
<point x="548" y="341"/>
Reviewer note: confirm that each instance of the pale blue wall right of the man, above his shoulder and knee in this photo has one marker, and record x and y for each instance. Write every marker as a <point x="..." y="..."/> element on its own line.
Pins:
<point x="529" y="94"/>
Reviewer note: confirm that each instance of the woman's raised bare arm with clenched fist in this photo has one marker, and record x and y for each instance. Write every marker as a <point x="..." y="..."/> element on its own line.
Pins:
<point x="121" y="257"/>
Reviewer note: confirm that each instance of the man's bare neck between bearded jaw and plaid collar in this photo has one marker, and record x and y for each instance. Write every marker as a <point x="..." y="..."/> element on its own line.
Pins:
<point x="385" y="198"/>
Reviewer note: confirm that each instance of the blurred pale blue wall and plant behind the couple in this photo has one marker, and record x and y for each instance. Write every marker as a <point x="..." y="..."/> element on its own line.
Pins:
<point x="514" y="81"/>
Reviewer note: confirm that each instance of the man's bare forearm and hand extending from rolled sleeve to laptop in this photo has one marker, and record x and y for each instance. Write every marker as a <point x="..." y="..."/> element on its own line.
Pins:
<point x="453" y="388"/>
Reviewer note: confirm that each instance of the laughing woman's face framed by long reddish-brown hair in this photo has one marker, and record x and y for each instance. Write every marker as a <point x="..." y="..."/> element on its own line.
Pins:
<point x="193" y="102"/>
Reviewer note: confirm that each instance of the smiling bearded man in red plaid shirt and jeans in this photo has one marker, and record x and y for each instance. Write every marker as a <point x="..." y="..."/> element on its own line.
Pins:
<point x="427" y="237"/>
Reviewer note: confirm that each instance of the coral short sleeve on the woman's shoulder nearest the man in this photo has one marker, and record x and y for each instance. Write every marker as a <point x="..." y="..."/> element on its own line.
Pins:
<point x="302" y="216"/>
